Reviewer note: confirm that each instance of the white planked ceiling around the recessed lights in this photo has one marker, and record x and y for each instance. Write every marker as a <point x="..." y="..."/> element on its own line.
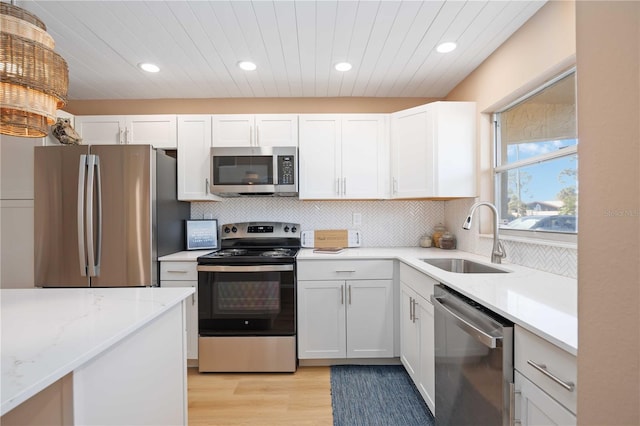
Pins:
<point x="295" y="44"/>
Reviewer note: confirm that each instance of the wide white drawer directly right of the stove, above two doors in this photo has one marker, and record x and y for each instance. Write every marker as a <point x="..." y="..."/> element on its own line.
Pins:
<point x="345" y="270"/>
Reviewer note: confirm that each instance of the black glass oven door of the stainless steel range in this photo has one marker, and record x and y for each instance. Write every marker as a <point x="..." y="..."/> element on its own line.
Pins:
<point x="246" y="300"/>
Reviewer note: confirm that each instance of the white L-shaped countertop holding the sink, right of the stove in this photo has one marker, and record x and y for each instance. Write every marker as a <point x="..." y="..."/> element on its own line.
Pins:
<point x="544" y="303"/>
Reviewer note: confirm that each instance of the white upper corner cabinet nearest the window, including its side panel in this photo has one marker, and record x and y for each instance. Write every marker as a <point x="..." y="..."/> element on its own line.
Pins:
<point x="433" y="151"/>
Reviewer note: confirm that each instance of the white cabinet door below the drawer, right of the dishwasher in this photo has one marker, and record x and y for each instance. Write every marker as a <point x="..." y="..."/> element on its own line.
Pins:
<point x="536" y="408"/>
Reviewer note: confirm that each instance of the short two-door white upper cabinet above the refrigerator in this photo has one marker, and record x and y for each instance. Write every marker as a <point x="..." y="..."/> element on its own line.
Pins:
<point x="160" y="131"/>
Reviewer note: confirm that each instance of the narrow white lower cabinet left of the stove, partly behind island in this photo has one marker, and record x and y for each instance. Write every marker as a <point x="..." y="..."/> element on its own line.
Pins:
<point x="184" y="274"/>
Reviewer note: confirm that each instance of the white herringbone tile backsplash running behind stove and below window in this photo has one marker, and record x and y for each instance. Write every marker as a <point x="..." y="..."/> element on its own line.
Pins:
<point x="388" y="224"/>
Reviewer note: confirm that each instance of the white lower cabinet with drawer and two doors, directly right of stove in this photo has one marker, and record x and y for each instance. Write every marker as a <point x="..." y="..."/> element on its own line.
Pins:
<point x="345" y="309"/>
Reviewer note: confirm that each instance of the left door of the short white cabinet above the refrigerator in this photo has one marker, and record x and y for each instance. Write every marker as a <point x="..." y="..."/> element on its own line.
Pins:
<point x="101" y="129"/>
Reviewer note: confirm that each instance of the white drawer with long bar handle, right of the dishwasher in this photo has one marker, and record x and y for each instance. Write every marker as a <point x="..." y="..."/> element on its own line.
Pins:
<point x="530" y="349"/>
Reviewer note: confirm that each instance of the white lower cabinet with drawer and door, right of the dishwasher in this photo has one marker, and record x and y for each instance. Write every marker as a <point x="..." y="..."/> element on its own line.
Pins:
<point x="545" y="381"/>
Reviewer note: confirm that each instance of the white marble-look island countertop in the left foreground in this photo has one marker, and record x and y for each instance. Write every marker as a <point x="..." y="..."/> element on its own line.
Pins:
<point x="47" y="333"/>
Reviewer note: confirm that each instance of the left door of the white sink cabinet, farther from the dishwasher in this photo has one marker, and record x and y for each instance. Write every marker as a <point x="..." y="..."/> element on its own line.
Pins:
<point x="409" y="336"/>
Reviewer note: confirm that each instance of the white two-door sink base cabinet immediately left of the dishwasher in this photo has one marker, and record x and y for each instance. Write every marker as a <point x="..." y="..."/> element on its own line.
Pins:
<point x="417" y="351"/>
